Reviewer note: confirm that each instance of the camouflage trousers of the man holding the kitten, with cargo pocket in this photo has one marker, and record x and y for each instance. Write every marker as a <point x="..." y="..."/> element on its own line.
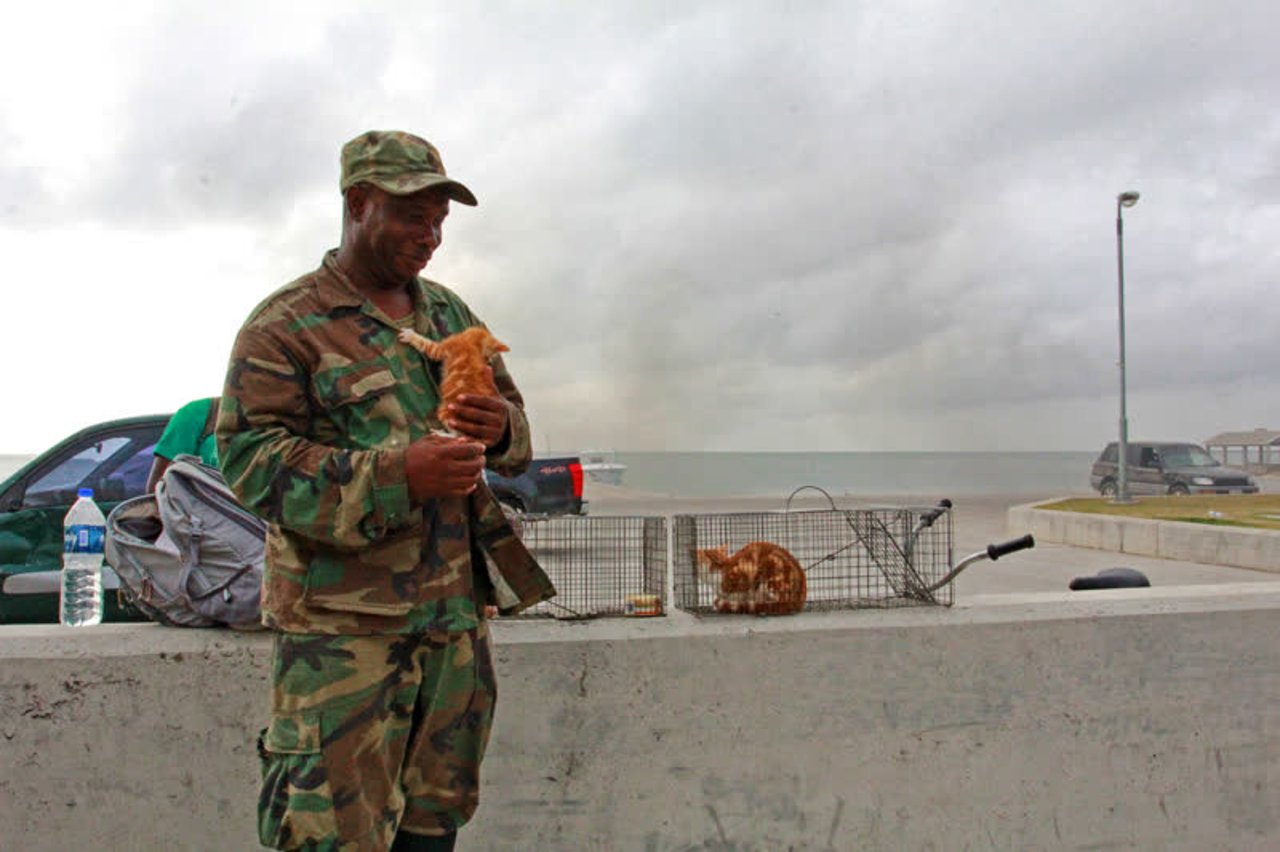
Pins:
<point x="372" y="735"/>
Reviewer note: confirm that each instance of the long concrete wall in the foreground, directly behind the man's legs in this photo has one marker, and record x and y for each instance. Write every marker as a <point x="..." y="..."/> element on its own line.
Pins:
<point x="1130" y="718"/>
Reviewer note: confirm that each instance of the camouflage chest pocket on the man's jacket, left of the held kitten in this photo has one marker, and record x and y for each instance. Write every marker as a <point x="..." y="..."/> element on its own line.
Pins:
<point x="362" y="410"/>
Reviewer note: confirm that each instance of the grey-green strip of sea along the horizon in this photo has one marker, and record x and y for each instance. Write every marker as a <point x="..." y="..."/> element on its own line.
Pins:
<point x="943" y="475"/>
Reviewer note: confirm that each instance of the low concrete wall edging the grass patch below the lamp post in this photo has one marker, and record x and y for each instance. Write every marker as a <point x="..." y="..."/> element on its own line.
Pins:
<point x="1199" y="543"/>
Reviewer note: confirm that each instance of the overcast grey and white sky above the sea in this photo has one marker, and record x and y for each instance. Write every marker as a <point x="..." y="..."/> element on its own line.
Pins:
<point x="876" y="226"/>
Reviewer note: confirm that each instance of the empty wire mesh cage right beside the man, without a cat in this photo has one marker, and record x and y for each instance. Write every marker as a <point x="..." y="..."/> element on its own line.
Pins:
<point x="607" y="566"/>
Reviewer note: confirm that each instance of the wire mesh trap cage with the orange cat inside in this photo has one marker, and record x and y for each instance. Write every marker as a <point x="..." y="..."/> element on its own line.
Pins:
<point x="876" y="557"/>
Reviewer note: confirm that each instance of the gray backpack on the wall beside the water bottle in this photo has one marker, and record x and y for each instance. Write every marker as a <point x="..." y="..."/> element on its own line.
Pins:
<point x="190" y="555"/>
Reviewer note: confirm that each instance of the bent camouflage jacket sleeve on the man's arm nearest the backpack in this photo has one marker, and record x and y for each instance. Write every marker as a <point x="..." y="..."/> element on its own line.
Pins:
<point x="348" y="498"/>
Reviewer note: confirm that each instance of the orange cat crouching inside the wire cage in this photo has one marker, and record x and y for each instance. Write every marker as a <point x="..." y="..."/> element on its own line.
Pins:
<point x="761" y="579"/>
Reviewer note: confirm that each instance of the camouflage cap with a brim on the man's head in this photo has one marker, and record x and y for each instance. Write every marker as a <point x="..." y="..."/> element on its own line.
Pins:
<point x="399" y="163"/>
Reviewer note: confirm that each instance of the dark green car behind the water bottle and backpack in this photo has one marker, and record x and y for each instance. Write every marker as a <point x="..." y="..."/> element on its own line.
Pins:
<point x="115" y="460"/>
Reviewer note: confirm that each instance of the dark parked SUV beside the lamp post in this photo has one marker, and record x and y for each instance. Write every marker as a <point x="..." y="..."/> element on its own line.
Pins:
<point x="1169" y="468"/>
